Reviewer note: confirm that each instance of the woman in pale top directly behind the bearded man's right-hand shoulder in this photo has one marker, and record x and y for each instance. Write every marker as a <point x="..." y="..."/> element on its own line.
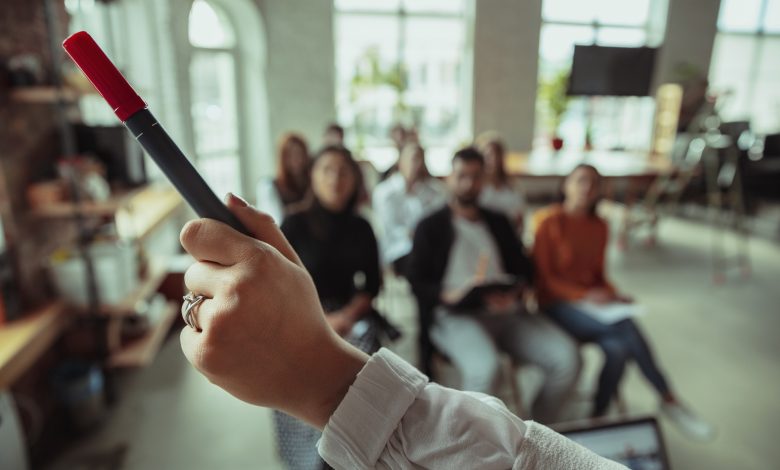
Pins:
<point x="498" y="193"/>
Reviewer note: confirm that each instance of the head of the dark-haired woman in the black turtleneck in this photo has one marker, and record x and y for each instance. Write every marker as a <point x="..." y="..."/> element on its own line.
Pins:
<point x="334" y="178"/>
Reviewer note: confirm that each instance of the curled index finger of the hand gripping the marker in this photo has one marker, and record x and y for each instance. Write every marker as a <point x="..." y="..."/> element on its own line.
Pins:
<point x="209" y="240"/>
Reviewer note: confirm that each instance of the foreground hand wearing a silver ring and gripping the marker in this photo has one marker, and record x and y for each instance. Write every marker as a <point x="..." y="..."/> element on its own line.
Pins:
<point x="264" y="338"/>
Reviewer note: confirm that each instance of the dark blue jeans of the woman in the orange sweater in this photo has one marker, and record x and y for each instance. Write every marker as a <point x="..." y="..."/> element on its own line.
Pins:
<point x="620" y="342"/>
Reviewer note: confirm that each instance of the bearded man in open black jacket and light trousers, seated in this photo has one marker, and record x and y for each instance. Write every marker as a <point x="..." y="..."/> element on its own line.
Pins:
<point x="463" y="245"/>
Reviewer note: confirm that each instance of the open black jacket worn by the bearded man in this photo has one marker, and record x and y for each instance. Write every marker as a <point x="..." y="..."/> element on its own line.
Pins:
<point x="433" y="241"/>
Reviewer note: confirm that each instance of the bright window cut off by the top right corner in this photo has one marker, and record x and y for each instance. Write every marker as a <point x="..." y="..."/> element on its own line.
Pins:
<point x="745" y="69"/>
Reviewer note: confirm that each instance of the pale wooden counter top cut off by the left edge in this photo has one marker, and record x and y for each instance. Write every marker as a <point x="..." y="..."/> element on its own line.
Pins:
<point x="23" y="341"/>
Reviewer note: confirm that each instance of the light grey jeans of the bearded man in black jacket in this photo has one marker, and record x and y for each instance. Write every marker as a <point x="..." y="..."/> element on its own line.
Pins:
<point x="472" y="342"/>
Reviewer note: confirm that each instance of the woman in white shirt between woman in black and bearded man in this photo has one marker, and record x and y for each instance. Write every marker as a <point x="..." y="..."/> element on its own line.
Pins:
<point x="401" y="201"/>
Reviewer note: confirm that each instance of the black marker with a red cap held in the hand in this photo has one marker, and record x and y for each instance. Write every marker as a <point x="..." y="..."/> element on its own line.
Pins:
<point x="134" y="114"/>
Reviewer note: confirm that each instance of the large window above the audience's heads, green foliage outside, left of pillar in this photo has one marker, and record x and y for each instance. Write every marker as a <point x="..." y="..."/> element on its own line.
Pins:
<point x="400" y="61"/>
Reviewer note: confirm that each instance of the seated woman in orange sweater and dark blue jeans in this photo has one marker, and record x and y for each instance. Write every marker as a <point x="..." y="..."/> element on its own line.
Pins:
<point x="569" y="252"/>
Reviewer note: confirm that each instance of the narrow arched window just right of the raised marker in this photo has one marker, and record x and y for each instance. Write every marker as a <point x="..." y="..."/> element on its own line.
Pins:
<point x="213" y="104"/>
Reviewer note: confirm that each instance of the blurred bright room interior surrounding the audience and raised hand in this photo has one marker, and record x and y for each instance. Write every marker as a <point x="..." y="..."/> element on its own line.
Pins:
<point x="675" y="102"/>
